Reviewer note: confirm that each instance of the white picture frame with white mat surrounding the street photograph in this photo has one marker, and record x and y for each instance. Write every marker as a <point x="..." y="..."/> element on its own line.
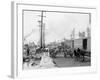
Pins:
<point x="17" y="40"/>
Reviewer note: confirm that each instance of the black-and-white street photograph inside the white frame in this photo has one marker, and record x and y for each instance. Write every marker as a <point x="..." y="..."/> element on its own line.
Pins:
<point x="55" y="39"/>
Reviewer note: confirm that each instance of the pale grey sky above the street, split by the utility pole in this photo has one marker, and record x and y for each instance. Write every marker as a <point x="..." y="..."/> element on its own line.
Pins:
<point x="57" y="25"/>
